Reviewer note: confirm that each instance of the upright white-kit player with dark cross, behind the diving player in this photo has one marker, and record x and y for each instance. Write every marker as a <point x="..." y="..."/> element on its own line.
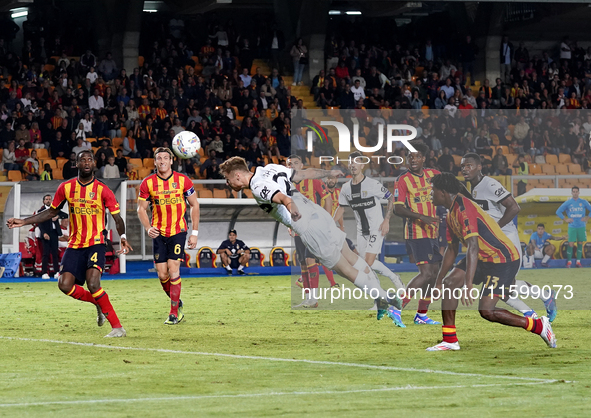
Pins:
<point x="363" y="196"/>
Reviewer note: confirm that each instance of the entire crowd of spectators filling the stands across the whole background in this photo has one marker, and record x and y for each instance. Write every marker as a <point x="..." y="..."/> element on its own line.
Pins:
<point x="53" y="101"/>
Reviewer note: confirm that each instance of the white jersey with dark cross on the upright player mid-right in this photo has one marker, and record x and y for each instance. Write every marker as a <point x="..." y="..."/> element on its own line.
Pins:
<point x="364" y="198"/>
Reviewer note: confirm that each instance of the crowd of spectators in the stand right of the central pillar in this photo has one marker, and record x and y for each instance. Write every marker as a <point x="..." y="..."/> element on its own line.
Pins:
<point x="541" y="96"/>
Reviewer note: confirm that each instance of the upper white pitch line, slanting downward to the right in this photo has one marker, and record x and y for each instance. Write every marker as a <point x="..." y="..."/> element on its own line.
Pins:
<point x="287" y="360"/>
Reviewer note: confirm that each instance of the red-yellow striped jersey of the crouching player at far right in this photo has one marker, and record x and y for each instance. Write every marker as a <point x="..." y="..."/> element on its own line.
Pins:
<point x="467" y="219"/>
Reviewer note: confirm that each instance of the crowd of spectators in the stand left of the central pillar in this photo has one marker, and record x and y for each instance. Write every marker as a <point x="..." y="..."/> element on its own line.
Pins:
<point x="52" y="101"/>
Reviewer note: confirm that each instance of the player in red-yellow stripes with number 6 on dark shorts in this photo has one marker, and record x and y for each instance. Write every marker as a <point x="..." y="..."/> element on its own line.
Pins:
<point x="165" y="192"/>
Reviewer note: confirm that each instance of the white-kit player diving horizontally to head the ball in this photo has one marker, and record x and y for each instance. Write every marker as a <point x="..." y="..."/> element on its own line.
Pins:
<point x="272" y="189"/>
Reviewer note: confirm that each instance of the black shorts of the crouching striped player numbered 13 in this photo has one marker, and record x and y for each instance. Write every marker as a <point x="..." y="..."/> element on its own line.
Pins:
<point x="498" y="275"/>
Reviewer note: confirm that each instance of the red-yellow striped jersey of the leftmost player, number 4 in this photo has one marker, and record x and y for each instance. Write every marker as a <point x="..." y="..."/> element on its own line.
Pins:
<point x="88" y="203"/>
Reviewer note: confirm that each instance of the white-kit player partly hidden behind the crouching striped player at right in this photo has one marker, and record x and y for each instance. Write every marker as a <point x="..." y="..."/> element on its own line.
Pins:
<point x="498" y="202"/>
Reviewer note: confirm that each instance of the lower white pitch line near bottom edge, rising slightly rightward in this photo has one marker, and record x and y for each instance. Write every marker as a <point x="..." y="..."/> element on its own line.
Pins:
<point x="260" y="395"/>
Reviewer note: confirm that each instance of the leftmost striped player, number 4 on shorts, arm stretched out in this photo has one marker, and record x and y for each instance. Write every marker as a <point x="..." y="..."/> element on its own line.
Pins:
<point x="84" y="259"/>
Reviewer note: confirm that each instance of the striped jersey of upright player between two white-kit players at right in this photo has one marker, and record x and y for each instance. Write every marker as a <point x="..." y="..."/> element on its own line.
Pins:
<point x="414" y="191"/>
